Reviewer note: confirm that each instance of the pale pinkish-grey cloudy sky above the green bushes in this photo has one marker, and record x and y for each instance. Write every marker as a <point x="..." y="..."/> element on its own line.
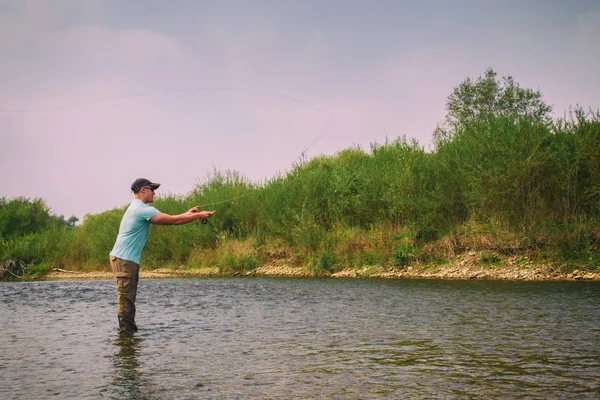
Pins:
<point x="97" y="93"/>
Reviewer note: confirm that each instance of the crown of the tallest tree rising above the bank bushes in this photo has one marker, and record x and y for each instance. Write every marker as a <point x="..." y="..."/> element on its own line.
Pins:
<point x="488" y="97"/>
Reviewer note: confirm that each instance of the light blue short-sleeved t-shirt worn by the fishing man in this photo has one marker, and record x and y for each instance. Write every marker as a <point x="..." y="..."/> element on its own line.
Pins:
<point x="133" y="232"/>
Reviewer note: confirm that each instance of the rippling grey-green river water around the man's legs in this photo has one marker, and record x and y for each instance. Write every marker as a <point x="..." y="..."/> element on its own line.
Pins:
<point x="246" y="338"/>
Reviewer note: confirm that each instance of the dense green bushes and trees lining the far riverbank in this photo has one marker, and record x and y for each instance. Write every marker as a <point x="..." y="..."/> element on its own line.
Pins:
<point x="503" y="178"/>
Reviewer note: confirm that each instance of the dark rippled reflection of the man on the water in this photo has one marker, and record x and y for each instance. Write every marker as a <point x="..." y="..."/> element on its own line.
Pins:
<point x="127" y="378"/>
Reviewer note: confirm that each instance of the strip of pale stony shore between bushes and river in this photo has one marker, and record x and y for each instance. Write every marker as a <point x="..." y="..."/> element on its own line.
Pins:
<point x="464" y="267"/>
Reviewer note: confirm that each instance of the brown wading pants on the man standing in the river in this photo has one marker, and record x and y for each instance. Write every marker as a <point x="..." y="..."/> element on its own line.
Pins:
<point x="127" y="275"/>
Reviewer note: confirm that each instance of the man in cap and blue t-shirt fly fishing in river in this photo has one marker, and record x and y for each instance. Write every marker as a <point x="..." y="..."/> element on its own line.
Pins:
<point x="133" y="234"/>
